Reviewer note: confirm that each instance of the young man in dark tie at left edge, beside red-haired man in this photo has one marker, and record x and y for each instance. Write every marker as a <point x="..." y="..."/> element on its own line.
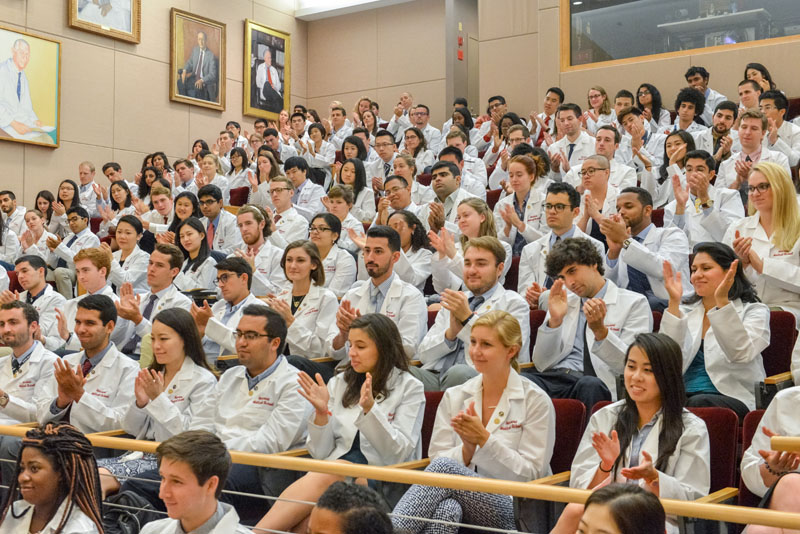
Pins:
<point x="31" y="272"/>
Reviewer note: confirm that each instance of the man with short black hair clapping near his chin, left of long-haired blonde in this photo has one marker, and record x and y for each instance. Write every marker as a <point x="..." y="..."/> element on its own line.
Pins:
<point x="637" y="249"/>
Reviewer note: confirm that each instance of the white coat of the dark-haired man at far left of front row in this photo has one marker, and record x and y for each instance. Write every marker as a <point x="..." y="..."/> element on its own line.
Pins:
<point x="27" y="390"/>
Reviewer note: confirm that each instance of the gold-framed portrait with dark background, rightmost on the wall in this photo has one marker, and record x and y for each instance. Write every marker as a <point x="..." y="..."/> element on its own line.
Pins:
<point x="267" y="79"/>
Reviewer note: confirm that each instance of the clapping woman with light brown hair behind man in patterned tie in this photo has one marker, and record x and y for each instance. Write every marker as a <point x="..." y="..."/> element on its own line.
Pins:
<point x="475" y="219"/>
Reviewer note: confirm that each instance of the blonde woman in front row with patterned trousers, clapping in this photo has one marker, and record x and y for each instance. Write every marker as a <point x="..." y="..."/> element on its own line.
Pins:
<point x="497" y="425"/>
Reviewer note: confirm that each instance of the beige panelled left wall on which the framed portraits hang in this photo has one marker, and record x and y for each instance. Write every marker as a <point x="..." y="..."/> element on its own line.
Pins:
<point x="115" y="96"/>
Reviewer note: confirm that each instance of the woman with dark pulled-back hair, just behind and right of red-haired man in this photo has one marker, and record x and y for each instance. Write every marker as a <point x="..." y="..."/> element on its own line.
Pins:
<point x="129" y="263"/>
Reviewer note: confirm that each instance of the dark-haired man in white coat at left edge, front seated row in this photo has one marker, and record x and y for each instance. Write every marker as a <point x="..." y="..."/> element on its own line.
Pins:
<point x="23" y="375"/>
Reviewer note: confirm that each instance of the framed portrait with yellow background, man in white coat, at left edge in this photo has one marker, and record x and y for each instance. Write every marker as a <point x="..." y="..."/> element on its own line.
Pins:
<point x="30" y="88"/>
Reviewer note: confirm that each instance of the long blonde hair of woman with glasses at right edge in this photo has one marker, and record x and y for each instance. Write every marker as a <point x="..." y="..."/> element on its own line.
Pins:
<point x="785" y="213"/>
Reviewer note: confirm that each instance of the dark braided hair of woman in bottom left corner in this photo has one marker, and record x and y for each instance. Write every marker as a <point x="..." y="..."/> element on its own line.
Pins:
<point x="73" y="457"/>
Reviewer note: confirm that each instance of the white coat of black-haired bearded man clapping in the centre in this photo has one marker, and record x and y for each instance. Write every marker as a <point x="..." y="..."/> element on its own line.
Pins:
<point x="404" y="305"/>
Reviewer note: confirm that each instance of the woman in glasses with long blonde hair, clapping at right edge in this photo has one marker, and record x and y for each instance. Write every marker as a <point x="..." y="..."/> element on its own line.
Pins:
<point x="768" y="241"/>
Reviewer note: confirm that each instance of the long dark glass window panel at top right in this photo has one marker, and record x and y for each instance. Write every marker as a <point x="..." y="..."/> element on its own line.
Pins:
<point x="604" y="30"/>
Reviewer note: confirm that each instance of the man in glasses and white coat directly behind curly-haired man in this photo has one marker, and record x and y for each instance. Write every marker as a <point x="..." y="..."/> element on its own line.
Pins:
<point x="562" y="206"/>
